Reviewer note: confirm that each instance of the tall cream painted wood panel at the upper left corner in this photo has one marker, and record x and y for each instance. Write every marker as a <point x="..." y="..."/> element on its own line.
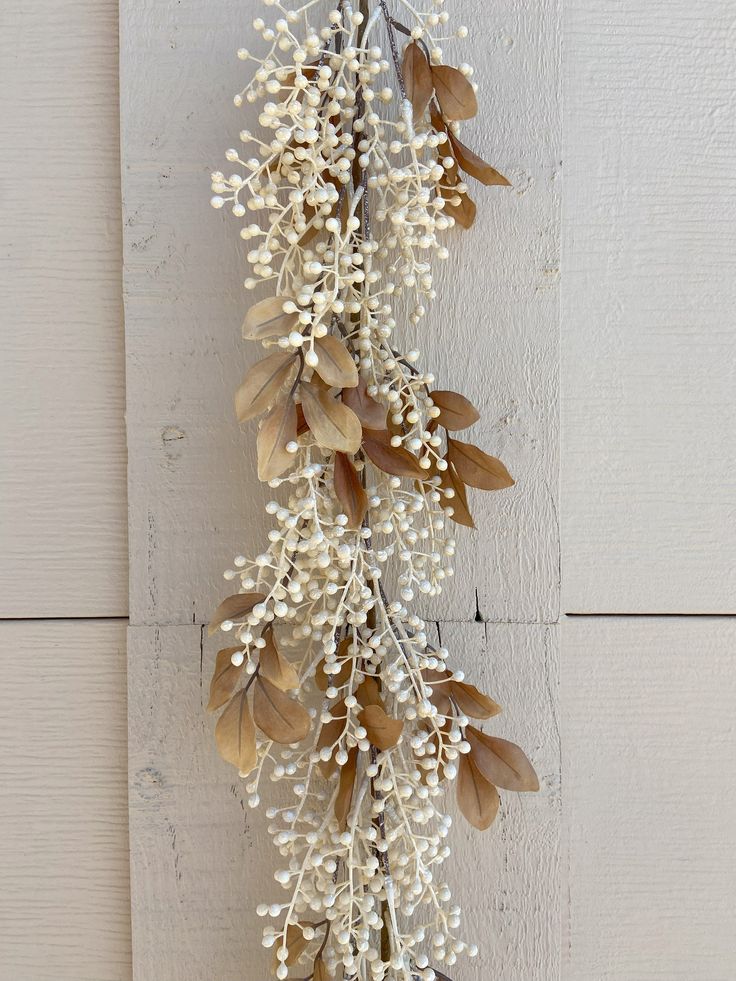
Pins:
<point x="63" y="543"/>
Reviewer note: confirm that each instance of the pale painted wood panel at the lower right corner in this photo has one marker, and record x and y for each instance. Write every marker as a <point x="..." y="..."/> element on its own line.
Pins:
<point x="649" y="752"/>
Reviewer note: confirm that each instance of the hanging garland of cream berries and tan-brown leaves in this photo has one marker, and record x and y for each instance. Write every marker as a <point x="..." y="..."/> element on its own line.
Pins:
<point x="332" y="688"/>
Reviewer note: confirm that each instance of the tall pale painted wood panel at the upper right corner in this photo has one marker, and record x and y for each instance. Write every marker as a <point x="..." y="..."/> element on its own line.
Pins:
<point x="649" y="329"/>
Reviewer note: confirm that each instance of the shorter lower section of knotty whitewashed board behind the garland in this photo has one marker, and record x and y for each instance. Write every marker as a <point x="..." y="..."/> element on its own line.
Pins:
<point x="201" y="860"/>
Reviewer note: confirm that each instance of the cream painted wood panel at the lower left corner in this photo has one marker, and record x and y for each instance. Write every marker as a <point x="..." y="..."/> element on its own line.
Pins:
<point x="64" y="902"/>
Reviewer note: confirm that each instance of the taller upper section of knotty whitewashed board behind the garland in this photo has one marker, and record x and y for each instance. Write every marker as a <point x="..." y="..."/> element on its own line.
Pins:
<point x="195" y="499"/>
